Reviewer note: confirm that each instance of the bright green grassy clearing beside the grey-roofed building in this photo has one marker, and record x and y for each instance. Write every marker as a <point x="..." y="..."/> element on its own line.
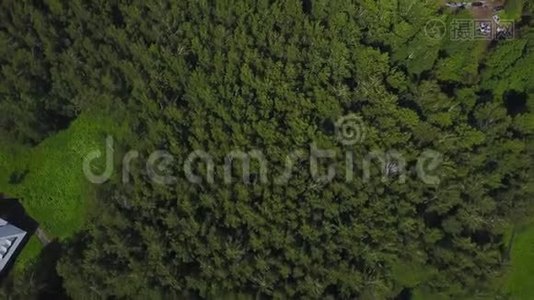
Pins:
<point x="48" y="178"/>
